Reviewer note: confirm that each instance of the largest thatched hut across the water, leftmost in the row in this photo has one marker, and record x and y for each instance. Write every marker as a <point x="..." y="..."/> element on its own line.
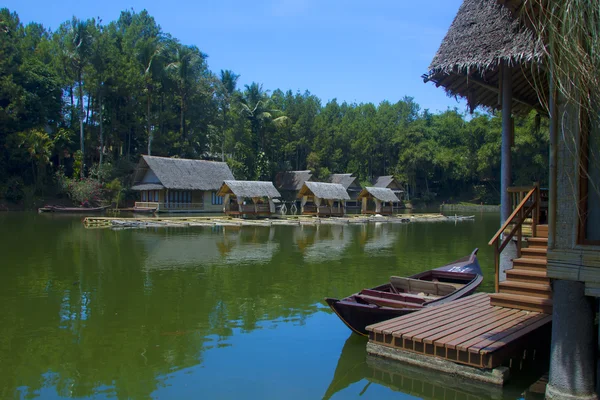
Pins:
<point x="180" y="185"/>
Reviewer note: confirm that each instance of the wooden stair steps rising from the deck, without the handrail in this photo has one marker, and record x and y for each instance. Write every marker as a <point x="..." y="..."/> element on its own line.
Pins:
<point x="526" y="286"/>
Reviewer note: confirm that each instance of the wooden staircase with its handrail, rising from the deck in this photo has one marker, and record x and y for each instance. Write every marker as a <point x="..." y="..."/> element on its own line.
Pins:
<point x="527" y="286"/>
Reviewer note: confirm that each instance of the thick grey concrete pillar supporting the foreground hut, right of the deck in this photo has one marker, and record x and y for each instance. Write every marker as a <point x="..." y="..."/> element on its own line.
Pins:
<point x="572" y="355"/>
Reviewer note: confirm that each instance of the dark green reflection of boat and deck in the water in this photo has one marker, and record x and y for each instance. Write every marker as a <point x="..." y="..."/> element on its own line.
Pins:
<point x="356" y="367"/>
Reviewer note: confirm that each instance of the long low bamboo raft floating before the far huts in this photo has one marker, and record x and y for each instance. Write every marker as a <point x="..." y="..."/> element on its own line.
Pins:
<point x="194" y="221"/>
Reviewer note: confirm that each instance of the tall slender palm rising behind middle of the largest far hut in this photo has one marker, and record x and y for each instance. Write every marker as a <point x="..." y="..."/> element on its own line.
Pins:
<point x="186" y="66"/>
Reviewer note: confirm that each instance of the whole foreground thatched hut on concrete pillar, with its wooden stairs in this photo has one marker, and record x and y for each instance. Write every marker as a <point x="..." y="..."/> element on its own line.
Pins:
<point x="494" y="56"/>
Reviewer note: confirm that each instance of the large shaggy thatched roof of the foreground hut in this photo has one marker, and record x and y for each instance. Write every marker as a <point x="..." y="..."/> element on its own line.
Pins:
<point x="483" y="35"/>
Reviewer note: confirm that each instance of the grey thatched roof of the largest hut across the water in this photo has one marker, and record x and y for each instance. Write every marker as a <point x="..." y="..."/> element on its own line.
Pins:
<point x="181" y="174"/>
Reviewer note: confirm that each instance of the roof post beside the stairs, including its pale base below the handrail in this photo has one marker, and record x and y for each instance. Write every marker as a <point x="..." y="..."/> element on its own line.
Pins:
<point x="510" y="251"/>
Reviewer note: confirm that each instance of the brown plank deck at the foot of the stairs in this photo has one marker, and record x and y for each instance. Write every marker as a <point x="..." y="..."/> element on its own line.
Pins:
<point x="469" y="331"/>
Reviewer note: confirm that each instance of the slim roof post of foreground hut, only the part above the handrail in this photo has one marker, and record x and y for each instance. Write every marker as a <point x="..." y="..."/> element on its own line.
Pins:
<point x="505" y="169"/>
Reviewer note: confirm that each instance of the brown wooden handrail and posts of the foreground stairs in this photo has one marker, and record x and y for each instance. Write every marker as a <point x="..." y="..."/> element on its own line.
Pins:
<point x="529" y="206"/>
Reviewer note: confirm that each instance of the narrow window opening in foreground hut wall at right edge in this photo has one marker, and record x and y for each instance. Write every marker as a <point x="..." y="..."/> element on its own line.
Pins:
<point x="589" y="167"/>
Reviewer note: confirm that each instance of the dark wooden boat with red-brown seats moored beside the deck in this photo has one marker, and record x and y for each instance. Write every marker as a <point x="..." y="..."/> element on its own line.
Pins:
<point x="402" y="295"/>
